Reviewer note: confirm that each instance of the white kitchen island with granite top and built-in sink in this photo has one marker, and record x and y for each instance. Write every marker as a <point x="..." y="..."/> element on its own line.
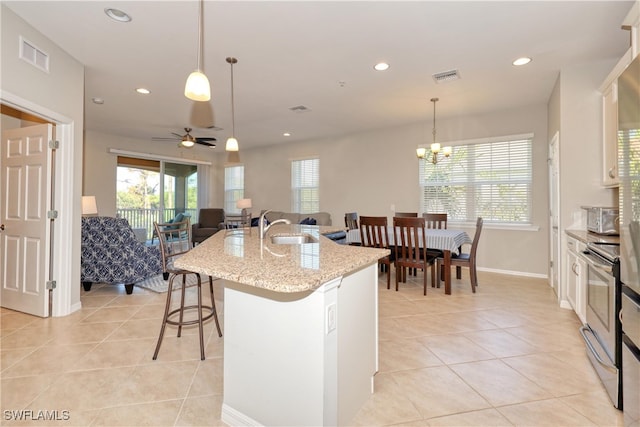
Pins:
<point x="300" y="325"/>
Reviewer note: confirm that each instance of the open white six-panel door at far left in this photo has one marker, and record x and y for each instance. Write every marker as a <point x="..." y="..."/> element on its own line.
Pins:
<point x="25" y="197"/>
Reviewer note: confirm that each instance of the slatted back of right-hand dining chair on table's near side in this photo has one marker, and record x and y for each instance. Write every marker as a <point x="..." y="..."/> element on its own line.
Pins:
<point x="409" y="232"/>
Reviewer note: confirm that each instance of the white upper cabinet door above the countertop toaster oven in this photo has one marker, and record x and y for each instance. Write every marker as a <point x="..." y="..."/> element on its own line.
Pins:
<point x="610" y="136"/>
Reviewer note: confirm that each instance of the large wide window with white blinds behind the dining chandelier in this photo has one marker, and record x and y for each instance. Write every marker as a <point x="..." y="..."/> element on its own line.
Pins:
<point x="491" y="179"/>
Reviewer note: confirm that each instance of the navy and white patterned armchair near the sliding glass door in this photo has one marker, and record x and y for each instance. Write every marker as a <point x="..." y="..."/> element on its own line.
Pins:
<point x="112" y="254"/>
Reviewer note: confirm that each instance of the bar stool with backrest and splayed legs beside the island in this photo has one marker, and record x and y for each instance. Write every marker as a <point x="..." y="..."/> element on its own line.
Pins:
<point x="175" y="240"/>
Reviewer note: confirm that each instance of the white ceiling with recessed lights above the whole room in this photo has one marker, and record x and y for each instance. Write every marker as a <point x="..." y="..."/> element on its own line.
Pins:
<point x="298" y="53"/>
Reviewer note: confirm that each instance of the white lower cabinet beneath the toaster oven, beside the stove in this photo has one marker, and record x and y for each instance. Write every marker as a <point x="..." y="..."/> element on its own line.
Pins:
<point x="575" y="283"/>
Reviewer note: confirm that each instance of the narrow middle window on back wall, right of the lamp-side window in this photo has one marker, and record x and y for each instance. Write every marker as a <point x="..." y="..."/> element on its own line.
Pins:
<point x="305" y="191"/>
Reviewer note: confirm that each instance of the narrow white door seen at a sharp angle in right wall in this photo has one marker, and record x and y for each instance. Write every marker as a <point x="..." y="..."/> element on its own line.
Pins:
<point x="554" y="213"/>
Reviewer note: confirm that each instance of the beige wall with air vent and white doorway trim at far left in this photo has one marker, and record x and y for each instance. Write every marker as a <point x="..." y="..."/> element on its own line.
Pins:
<point x="57" y="96"/>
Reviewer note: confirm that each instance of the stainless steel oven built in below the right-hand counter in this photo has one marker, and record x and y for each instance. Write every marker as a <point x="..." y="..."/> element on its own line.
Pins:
<point x="602" y="332"/>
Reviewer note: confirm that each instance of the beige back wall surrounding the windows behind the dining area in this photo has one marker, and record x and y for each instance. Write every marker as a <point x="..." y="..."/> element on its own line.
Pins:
<point x="369" y="172"/>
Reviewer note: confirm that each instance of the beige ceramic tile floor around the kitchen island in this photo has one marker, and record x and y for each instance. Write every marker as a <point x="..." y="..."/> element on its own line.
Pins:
<point x="507" y="355"/>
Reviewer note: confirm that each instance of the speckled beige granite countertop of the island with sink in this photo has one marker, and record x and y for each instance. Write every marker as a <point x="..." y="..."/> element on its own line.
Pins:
<point x="240" y="256"/>
